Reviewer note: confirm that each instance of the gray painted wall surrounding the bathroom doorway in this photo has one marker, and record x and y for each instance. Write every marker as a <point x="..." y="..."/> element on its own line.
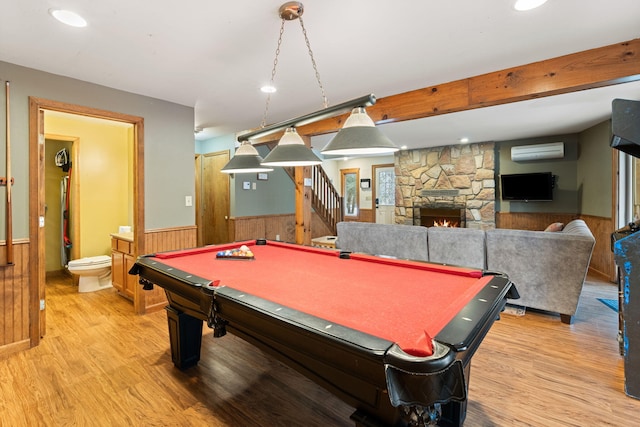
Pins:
<point x="168" y="138"/>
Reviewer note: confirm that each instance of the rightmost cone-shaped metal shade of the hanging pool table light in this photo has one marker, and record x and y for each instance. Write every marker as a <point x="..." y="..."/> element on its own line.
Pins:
<point x="359" y="136"/>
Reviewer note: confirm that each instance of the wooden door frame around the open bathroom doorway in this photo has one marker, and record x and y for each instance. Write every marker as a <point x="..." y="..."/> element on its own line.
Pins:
<point x="37" y="317"/>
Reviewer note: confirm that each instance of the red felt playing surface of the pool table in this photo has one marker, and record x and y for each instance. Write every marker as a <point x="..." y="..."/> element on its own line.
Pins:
<point x="406" y="302"/>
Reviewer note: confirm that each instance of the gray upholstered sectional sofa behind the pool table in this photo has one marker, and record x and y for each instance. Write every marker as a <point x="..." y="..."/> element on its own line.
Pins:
<point x="548" y="268"/>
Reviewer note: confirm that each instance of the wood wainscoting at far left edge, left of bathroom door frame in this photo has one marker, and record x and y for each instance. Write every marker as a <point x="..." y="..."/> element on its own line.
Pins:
<point x="14" y="299"/>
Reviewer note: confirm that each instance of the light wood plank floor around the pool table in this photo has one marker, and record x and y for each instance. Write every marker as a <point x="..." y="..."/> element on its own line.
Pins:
<point x="101" y="365"/>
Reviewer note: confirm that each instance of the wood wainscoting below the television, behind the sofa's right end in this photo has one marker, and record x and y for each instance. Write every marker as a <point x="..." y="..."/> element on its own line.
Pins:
<point x="602" y="263"/>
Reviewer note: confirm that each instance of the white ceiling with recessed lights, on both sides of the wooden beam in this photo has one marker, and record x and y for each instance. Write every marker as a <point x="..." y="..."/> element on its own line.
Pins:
<point x="214" y="56"/>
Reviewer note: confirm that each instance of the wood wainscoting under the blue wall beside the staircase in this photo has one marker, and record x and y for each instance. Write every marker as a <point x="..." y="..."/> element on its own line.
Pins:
<point x="272" y="226"/>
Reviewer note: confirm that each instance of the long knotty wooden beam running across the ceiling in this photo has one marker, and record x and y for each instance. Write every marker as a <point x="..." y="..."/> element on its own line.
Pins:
<point x="604" y="66"/>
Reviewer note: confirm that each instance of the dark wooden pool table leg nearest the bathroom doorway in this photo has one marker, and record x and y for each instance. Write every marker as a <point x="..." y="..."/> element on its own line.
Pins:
<point x="185" y="335"/>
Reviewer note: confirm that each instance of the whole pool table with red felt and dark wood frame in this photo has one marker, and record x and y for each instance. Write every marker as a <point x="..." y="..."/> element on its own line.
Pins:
<point x="392" y="338"/>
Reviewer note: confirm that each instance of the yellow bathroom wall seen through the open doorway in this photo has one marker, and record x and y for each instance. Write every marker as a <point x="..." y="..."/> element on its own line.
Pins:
<point x="102" y="178"/>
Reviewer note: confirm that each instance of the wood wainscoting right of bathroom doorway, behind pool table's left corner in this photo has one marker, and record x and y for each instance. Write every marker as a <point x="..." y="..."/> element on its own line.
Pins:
<point x="159" y="240"/>
